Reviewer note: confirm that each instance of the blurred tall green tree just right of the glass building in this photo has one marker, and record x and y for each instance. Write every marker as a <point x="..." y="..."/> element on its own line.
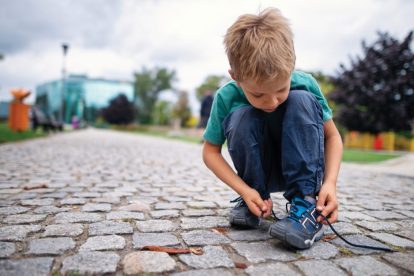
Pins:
<point x="148" y="85"/>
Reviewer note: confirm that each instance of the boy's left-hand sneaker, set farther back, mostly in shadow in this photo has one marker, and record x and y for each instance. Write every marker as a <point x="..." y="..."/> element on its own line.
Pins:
<point x="241" y="216"/>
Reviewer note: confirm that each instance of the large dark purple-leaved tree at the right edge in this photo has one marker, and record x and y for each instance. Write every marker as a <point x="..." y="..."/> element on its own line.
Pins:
<point x="377" y="92"/>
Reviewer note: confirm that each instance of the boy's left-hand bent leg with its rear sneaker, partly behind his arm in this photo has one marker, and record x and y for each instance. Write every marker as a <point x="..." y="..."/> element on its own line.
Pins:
<point x="244" y="132"/>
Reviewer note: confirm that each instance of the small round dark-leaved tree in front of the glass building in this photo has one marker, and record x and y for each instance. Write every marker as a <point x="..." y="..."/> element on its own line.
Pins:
<point x="120" y="111"/>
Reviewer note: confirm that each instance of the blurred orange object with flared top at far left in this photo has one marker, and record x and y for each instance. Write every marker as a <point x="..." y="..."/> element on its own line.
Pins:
<point x="18" y="111"/>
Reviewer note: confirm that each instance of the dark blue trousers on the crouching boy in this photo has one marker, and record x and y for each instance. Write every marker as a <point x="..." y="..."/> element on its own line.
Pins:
<point x="279" y="151"/>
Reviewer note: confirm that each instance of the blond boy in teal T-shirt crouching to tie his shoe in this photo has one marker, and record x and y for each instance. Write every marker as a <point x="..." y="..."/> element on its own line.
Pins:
<point x="279" y="131"/>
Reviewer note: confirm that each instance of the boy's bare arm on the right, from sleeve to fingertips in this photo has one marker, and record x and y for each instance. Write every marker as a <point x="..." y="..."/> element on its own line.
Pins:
<point x="327" y="201"/>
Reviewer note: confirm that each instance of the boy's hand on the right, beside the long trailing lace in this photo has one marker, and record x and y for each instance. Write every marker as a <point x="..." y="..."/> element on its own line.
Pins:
<point x="327" y="203"/>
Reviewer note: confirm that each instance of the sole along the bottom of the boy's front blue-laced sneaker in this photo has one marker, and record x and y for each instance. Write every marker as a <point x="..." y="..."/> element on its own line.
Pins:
<point x="294" y="240"/>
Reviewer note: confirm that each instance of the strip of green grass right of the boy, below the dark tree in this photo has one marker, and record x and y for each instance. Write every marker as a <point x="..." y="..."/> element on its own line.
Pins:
<point x="363" y="156"/>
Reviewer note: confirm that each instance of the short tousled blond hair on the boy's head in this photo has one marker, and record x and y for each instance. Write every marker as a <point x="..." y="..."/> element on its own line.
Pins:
<point x="260" y="47"/>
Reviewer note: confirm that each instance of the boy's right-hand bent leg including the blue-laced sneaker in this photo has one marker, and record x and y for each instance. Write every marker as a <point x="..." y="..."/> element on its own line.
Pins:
<point x="303" y="166"/>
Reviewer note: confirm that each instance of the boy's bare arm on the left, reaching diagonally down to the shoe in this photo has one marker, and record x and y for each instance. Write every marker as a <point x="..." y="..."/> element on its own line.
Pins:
<point x="218" y="165"/>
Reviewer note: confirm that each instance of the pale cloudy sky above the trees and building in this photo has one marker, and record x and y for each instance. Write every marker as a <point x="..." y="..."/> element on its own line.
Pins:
<point x="113" y="39"/>
